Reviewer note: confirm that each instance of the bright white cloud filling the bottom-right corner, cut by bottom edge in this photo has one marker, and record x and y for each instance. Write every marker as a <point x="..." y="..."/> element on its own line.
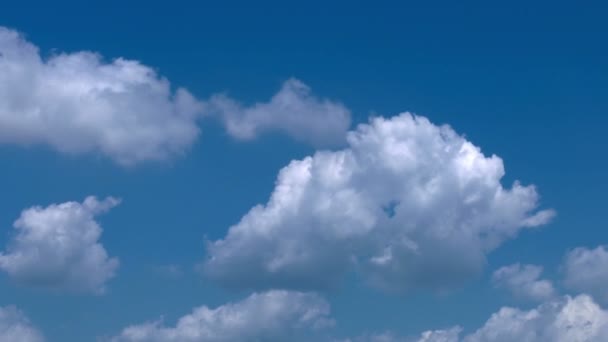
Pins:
<point x="567" y="319"/>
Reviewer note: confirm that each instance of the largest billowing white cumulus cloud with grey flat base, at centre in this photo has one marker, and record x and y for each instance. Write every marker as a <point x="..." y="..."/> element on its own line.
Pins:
<point x="408" y="204"/>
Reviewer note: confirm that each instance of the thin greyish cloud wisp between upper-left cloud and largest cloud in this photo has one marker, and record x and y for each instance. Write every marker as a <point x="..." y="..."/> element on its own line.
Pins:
<point x="293" y="111"/>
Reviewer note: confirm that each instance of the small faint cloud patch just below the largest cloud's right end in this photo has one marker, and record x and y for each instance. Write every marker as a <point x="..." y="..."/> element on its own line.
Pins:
<point x="524" y="282"/>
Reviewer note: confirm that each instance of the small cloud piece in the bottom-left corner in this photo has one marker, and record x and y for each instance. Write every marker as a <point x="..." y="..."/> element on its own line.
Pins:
<point x="14" y="326"/>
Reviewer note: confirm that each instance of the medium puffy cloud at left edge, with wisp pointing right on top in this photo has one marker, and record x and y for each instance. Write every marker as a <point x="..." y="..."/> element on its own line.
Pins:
<point x="58" y="248"/>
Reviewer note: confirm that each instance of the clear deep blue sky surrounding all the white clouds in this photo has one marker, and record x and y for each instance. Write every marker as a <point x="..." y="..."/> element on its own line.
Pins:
<point x="525" y="81"/>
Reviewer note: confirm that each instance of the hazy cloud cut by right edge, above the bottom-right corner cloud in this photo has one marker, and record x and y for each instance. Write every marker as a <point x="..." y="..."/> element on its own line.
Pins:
<point x="586" y="270"/>
